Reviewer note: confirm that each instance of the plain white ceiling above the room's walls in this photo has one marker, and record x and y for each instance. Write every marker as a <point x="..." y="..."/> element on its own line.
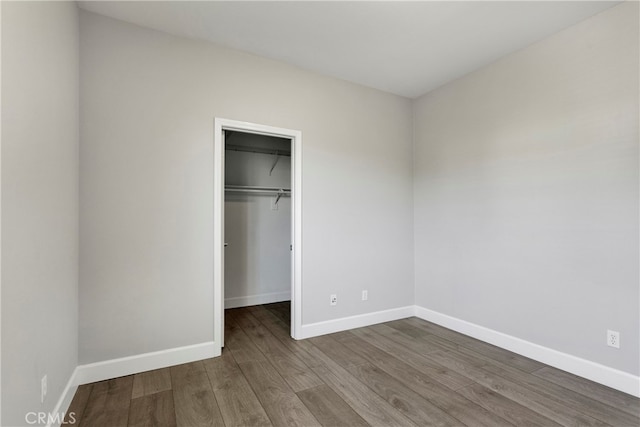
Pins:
<point x="407" y="48"/>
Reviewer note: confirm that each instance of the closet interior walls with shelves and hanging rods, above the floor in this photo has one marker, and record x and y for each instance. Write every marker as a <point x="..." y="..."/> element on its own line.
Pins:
<point x="258" y="219"/>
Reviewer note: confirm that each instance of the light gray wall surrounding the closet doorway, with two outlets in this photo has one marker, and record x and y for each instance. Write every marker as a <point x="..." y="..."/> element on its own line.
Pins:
<point x="146" y="201"/>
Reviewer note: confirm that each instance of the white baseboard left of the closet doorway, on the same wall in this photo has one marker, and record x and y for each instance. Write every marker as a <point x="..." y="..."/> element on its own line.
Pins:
<point x="144" y="362"/>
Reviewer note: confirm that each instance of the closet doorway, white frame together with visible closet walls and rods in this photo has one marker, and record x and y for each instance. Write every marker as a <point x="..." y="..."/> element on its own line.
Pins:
<point x="257" y="219"/>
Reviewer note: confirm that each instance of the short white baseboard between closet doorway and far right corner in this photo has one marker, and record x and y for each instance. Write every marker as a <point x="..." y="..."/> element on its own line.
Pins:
<point x="352" y="322"/>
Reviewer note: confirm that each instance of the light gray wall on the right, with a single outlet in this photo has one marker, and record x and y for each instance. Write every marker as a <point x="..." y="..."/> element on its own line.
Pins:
<point x="526" y="192"/>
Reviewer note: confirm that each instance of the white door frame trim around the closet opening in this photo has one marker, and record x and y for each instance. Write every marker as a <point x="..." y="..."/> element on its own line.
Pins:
<point x="220" y="126"/>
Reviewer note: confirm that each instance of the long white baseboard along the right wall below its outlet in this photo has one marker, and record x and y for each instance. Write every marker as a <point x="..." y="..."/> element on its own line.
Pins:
<point x="602" y="374"/>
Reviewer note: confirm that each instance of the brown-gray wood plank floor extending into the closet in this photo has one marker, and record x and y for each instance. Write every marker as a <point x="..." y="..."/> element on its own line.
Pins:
<point x="403" y="373"/>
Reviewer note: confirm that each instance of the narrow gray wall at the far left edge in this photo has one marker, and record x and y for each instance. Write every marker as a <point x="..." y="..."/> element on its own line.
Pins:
<point x="39" y="203"/>
